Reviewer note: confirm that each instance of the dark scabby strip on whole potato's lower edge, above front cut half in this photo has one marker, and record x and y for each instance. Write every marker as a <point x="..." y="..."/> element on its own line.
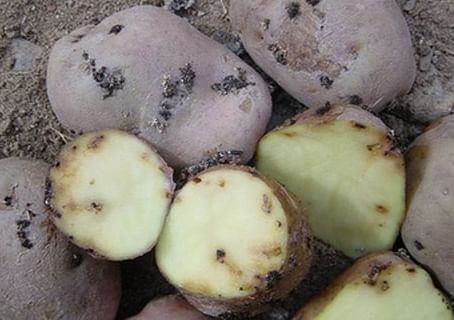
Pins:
<point x="219" y="158"/>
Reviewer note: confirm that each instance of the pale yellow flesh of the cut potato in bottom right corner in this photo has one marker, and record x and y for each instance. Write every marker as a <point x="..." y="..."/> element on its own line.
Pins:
<point x="401" y="293"/>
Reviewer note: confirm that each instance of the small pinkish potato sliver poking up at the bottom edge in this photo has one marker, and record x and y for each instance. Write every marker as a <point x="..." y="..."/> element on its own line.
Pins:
<point x="169" y="308"/>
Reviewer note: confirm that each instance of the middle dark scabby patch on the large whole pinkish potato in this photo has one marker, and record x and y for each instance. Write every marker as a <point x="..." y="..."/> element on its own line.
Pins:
<point x="174" y="91"/>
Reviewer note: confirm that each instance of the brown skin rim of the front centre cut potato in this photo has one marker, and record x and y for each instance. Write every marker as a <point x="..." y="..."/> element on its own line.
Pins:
<point x="295" y="268"/>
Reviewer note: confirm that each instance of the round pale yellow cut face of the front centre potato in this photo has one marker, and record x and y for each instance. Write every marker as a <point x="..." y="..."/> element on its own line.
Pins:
<point x="226" y="231"/>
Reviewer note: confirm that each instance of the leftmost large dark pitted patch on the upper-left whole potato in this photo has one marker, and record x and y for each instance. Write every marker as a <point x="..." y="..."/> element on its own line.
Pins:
<point x="110" y="80"/>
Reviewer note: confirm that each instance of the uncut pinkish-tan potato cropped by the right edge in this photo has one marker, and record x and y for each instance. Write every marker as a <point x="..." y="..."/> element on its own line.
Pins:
<point x="428" y="228"/>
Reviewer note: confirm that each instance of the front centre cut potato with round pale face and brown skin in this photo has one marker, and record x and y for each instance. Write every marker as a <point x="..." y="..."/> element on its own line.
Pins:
<point x="234" y="242"/>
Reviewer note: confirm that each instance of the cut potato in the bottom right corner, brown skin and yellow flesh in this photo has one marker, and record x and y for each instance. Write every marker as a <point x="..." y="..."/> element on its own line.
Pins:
<point x="380" y="287"/>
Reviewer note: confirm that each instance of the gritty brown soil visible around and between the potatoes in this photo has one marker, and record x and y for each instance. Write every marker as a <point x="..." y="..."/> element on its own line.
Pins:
<point x="29" y="129"/>
